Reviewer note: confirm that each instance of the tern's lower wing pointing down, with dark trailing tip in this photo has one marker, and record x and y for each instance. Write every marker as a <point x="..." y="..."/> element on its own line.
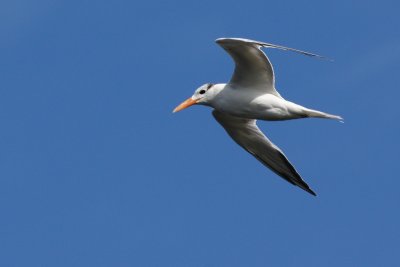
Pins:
<point x="246" y="133"/>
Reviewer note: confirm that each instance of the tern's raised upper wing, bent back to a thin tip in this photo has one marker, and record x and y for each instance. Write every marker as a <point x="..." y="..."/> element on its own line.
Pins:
<point x="252" y="67"/>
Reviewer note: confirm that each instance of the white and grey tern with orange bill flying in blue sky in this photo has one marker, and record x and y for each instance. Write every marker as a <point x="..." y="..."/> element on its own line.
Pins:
<point x="249" y="96"/>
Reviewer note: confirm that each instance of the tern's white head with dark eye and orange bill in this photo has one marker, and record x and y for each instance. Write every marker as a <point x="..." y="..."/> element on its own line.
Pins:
<point x="202" y="96"/>
